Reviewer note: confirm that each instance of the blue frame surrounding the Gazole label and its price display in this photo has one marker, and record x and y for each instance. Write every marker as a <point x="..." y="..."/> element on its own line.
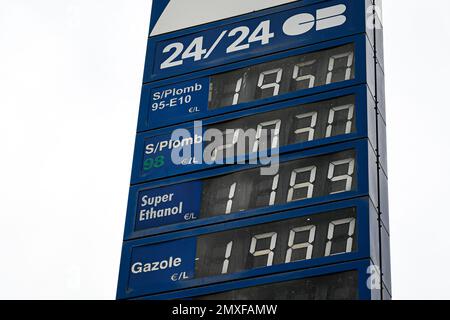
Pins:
<point x="366" y="222"/>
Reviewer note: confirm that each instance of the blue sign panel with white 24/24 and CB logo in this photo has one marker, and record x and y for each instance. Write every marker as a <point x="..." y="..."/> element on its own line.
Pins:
<point x="253" y="37"/>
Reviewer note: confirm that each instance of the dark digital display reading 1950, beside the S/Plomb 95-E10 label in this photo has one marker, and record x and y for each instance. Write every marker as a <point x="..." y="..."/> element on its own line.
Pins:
<point x="282" y="76"/>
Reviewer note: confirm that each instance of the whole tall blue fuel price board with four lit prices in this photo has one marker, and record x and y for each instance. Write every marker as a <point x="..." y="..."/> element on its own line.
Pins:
<point x="296" y="88"/>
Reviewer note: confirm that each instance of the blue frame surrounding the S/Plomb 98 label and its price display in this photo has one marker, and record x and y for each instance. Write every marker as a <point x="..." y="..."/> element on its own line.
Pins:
<point x="365" y="128"/>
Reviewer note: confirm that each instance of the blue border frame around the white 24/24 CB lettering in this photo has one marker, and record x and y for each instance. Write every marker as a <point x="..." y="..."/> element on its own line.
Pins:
<point x="355" y="24"/>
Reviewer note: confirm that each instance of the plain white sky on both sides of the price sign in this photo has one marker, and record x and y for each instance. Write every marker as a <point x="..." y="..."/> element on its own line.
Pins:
<point x="70" y="81"/>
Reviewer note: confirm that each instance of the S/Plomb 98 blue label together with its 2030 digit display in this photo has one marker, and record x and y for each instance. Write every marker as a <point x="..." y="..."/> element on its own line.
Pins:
<point x="250" y="135"/>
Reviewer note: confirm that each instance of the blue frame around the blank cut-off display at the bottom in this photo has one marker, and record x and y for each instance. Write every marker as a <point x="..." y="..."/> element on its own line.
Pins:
<point x="361" y="266"/>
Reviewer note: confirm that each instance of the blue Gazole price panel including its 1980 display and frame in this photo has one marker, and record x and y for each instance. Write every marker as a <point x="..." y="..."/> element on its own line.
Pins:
<point x="301" y="239"/>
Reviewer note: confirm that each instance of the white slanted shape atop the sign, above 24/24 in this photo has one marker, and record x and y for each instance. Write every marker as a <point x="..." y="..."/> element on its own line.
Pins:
<point x="181" y="14"/>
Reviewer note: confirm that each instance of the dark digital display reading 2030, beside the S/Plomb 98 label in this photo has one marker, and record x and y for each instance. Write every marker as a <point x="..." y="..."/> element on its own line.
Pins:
<point x="289" y="126"/>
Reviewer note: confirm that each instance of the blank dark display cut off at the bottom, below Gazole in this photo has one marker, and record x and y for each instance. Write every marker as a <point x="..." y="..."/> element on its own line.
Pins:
<point x="339" y="286"/>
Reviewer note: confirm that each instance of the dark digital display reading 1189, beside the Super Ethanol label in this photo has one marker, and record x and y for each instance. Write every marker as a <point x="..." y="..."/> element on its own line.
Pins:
<point x="295" y="181"/>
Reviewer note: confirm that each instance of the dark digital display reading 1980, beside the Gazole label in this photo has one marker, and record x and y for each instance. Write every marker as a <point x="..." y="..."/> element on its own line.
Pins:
<point x="275" y="243"/>
